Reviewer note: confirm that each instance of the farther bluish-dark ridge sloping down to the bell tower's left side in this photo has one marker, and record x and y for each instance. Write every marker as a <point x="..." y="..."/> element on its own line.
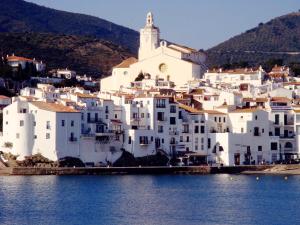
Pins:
<point x="20" y="16"/>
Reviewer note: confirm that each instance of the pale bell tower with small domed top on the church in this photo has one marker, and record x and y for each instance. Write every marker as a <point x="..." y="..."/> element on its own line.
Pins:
<point x="149" y="38"/>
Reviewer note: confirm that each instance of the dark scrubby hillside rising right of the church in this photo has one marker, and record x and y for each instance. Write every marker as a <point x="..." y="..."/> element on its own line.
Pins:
<point x="276" y="39"/>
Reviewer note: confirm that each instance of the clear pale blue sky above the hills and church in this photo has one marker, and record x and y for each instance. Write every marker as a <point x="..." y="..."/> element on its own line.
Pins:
<point x="199" y="24"/>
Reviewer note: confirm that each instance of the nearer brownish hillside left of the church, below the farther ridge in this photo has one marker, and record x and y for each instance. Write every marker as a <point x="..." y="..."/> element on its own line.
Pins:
<point x="86" y="55"/>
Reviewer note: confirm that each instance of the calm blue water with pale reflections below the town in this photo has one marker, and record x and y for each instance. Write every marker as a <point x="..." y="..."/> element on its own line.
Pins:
<point x="214" y="199"/>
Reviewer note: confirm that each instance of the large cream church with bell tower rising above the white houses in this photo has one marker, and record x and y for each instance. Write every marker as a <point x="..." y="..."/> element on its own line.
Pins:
<point x="159" y="59"/>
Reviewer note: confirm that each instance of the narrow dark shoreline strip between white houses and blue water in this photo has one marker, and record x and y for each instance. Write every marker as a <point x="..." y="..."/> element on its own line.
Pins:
<point x="156" y="170"/>
